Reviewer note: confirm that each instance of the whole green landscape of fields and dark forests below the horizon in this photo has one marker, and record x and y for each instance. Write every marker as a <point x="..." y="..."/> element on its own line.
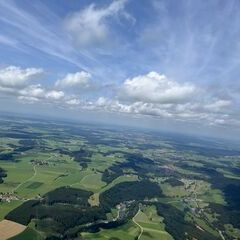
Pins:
<point x="61" y="180"/>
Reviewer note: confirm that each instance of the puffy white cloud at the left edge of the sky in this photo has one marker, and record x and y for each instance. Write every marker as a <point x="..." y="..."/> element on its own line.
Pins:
<point x="15" y="77"/>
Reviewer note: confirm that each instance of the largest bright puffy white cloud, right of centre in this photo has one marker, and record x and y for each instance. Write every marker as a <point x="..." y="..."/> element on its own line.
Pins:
<point x="156" y="88"/>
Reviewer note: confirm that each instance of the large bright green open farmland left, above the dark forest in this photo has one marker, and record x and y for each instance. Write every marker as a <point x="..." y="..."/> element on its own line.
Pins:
<point x="29" y="181"/>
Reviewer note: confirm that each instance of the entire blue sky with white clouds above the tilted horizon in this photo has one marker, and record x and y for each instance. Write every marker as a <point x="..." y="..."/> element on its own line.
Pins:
<point x="164" y="64"/>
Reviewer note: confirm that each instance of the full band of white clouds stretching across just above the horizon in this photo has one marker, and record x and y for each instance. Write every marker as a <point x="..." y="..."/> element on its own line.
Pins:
<point x="152" y="94"/>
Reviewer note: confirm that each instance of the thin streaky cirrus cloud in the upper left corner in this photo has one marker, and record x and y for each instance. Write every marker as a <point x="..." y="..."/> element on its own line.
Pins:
<point x="28" y="32"/>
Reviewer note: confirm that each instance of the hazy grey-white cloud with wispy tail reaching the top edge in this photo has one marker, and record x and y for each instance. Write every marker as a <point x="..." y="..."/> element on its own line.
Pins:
<point x="89" y="26"/>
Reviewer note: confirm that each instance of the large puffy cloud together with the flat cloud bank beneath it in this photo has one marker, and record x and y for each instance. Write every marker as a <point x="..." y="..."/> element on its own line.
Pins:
<point x="155" y="95"/>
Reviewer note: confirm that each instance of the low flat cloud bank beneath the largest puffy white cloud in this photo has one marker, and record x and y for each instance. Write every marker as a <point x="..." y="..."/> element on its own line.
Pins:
<point x="192" y="112"/>
